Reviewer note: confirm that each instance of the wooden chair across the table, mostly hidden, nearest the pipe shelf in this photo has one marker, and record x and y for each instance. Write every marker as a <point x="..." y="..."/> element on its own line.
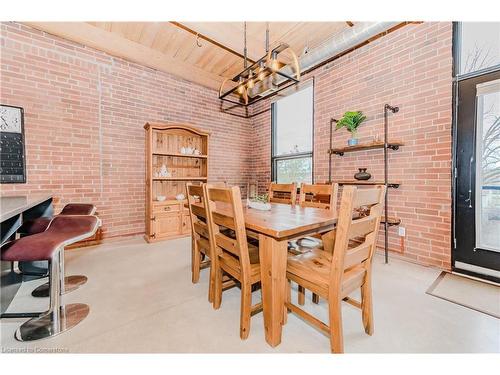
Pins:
<point x="317" y="196"/>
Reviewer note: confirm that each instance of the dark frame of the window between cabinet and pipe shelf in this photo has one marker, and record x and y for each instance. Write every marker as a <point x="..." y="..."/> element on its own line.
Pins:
<point x="276" y="158"/>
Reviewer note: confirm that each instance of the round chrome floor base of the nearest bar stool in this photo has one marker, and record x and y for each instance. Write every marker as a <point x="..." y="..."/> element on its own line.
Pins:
<point x="52" y="324"/>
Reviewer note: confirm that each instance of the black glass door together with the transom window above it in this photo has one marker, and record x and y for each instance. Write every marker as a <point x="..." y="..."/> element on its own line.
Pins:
<point x="476" y="185"/>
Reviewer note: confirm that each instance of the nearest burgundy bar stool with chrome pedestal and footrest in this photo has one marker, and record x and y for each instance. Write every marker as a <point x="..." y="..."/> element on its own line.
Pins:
<point x="49" y="246"/>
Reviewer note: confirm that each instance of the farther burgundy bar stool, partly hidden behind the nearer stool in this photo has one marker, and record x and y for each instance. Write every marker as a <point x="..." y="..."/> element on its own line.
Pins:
<point x="39" y="225"/>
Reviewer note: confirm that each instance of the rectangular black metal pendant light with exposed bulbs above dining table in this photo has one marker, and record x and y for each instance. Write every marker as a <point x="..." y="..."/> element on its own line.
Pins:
<point x="258" y="81"/>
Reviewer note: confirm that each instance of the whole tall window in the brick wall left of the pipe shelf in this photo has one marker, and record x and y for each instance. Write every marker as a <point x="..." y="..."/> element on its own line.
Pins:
<point x="292" y="137"/>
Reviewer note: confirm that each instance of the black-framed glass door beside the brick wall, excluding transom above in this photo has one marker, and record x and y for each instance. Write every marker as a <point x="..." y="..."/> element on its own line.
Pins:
<point x="477" y="177"/>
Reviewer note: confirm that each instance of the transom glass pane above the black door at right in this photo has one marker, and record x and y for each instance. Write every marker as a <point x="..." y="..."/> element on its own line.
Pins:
<point x="480" y="46"/>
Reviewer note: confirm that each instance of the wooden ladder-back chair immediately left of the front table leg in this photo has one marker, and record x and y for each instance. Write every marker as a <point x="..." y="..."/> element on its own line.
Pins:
<point x="234" y="256"/>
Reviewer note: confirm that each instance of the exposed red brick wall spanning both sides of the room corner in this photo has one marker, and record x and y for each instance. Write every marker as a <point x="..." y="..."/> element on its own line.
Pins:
<point x="84" y="112"/>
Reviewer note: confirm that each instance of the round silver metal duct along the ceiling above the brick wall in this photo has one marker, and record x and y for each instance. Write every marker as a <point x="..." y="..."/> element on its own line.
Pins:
<point x="344" y="41"/>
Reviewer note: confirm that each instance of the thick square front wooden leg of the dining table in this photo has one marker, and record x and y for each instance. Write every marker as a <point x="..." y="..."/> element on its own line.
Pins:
<point x="273" y="255"/>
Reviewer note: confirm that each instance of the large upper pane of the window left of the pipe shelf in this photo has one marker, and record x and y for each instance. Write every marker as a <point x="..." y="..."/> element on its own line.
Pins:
<point x="294" y="123"/>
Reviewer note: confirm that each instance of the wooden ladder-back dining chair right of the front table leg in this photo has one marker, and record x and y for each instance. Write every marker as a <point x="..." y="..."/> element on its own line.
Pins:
<point x="335" y="276"/>
